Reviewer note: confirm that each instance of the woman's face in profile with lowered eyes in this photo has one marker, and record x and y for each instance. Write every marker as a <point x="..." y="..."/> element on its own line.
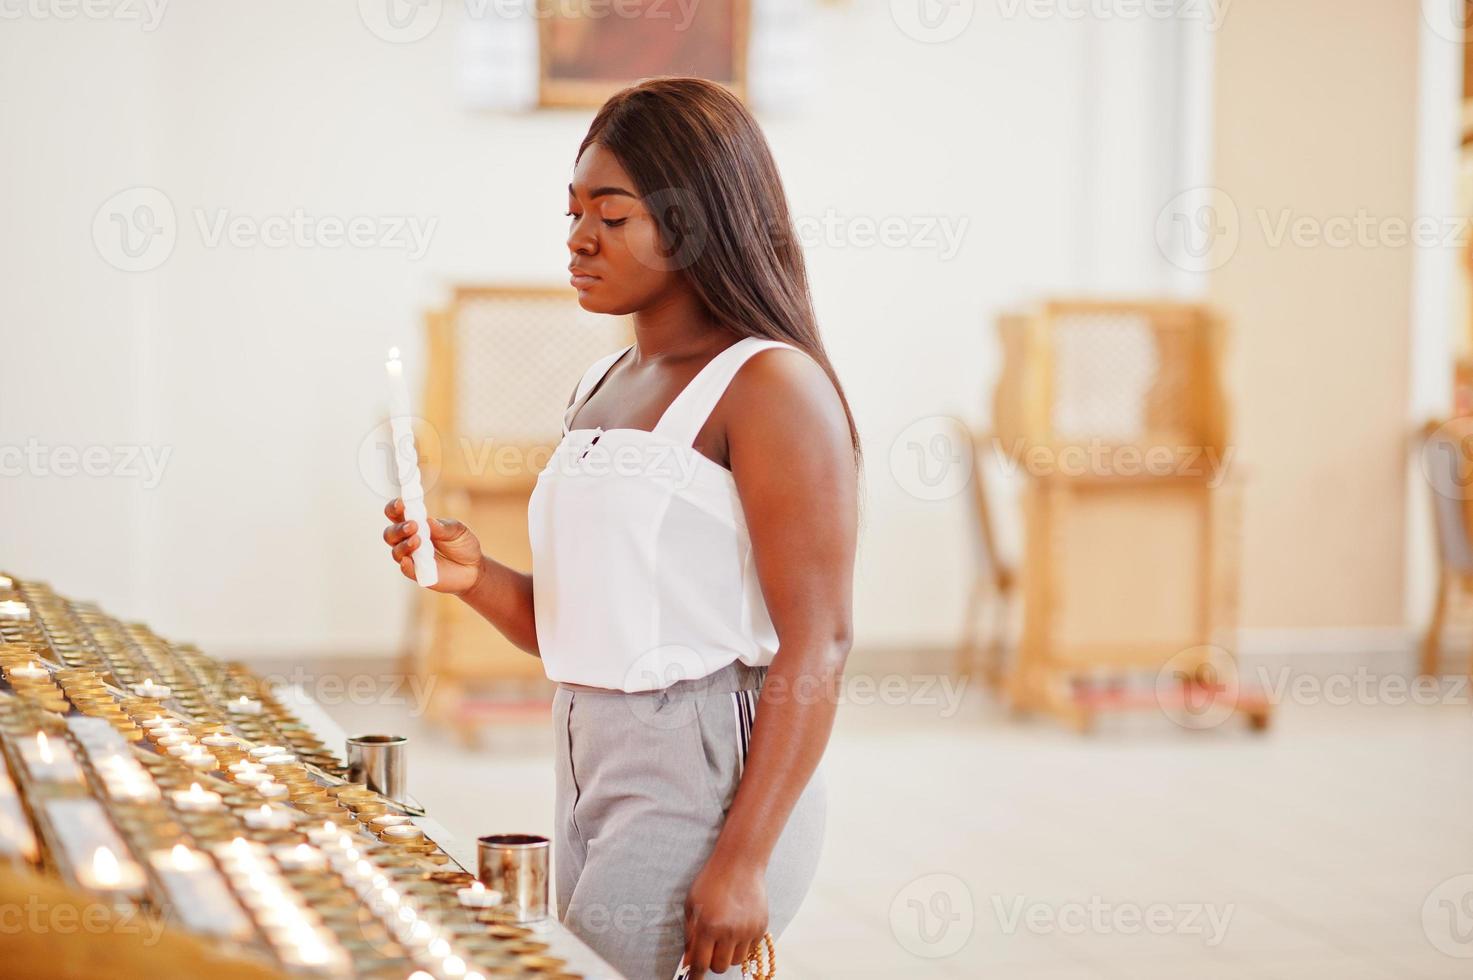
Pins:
<point x="618" y="260"/>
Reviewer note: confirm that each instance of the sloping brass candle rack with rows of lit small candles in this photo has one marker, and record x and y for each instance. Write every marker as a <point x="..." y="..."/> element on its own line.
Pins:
<point x="233" y="825"/>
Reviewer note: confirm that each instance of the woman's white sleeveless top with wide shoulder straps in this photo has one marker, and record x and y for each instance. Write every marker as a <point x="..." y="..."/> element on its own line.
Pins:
<point x="641" y="565"/>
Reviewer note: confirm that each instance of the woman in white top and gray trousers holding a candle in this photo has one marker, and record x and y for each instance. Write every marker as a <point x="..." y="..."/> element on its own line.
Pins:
<point x="693" y="546"/>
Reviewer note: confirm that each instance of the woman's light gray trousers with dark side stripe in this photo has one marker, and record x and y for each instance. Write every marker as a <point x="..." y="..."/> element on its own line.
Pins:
<point x="643" y="788"/>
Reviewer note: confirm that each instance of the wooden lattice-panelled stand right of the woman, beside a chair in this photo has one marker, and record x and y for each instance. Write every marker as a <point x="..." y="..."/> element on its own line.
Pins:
<point x="1129" y="568"/>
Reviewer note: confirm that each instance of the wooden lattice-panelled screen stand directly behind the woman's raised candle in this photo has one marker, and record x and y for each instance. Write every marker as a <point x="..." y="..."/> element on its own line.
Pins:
<point x="503" y="363"/>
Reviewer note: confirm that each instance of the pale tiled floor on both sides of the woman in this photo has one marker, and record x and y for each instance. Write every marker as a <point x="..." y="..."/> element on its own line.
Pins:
<point x="968" y="845"/>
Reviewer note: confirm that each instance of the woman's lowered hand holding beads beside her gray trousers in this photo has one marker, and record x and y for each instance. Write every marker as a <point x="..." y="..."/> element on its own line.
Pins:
<point x="725" y="914"/>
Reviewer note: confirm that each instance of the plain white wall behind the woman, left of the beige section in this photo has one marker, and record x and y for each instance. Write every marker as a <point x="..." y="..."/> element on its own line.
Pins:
<point x="260" y="369"/>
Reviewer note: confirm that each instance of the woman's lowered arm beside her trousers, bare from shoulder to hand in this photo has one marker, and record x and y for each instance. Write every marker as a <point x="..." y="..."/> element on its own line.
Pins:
<point x="793" y="461"/>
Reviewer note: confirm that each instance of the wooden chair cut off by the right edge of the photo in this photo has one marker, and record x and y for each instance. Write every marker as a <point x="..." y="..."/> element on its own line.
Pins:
<point x="1446" y="466"/>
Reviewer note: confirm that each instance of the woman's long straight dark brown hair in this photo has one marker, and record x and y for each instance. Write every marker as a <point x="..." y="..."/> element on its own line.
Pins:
<point x="703" y="169"/>
